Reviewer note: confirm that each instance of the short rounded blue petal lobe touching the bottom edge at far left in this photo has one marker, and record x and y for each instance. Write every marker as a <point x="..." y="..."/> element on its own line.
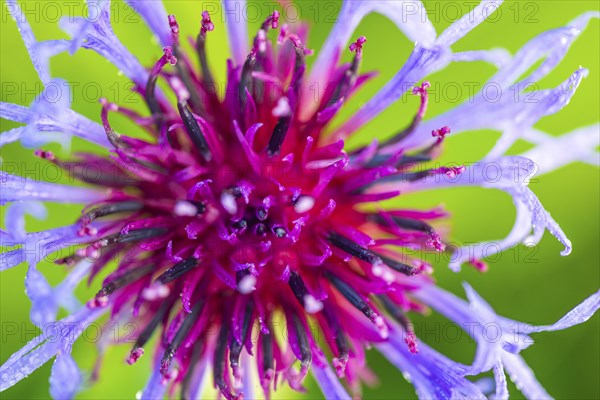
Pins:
<point x="65" y="377"/>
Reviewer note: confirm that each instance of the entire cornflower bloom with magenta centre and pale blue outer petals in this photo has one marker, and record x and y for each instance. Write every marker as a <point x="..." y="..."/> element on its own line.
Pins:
<point x="244" y="210"/>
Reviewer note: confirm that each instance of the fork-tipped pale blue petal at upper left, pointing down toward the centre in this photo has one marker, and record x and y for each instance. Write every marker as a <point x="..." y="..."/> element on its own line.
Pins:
<point x="95" y="33"/>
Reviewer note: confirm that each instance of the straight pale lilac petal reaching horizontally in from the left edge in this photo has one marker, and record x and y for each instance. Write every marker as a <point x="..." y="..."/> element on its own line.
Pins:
<point x="18" y="188"/>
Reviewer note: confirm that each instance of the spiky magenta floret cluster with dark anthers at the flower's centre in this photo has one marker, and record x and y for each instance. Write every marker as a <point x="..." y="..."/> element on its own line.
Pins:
<point x="239" y="214"/>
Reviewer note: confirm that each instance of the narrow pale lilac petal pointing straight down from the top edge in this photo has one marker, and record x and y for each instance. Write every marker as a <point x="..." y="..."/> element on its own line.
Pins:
<point x="237" y="29"/>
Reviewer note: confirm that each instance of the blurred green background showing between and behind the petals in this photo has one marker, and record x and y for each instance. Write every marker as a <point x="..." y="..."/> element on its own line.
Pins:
<point x="531" y="285"/>
